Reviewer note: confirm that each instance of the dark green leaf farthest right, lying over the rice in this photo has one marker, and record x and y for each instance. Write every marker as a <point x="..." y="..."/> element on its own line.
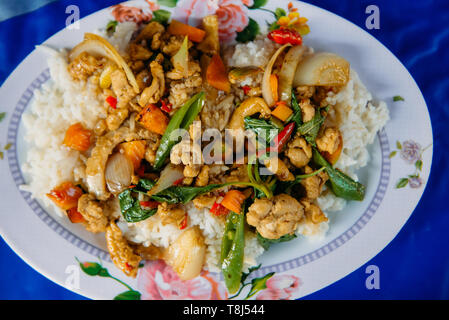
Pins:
<point x="340" y="184"/>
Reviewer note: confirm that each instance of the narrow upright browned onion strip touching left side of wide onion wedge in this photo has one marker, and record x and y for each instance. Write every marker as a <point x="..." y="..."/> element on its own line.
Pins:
<point x="291" y="60"/>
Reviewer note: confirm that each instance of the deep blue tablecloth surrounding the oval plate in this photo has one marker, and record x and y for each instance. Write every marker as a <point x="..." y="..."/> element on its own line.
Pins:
<point x="415" y="265"/>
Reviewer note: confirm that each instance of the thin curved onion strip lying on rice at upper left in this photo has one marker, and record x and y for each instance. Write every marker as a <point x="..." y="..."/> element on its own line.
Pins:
<point x="98" y="46"/>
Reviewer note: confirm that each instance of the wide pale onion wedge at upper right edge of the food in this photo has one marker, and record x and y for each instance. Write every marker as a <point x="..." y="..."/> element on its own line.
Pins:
<point x="322" y="69"/>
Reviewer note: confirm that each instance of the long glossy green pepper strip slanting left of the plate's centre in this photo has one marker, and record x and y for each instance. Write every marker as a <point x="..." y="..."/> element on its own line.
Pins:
<point x="183" y="118"/>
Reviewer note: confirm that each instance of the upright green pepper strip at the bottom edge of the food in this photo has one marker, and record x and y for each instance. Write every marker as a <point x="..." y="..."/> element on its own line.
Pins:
<point x="232" y="250"/>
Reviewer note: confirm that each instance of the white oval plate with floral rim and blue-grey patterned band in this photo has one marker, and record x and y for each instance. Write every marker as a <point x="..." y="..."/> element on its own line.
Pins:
<point x="50" y="244"/>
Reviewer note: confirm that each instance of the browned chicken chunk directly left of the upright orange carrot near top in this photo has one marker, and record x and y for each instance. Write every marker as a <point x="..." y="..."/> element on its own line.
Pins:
<point x="183" y="90"/>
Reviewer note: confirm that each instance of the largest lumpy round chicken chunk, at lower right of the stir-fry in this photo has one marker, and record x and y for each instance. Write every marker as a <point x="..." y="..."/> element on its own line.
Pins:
<point x="276" y="217"/>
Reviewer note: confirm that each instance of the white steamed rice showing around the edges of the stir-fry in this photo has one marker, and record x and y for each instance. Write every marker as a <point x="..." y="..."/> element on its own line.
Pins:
<point x="62" y="102"/>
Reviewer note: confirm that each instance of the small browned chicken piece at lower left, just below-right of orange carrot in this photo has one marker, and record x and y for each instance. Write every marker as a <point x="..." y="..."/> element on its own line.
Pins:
<point x="92" y="212"/>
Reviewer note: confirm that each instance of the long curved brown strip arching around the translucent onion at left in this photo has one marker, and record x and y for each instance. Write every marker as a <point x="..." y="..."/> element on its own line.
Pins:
<point x="96" y="164"/>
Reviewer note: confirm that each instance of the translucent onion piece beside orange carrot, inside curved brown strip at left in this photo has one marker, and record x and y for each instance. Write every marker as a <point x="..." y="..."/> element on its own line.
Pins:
<point x="118" y="173"/>
